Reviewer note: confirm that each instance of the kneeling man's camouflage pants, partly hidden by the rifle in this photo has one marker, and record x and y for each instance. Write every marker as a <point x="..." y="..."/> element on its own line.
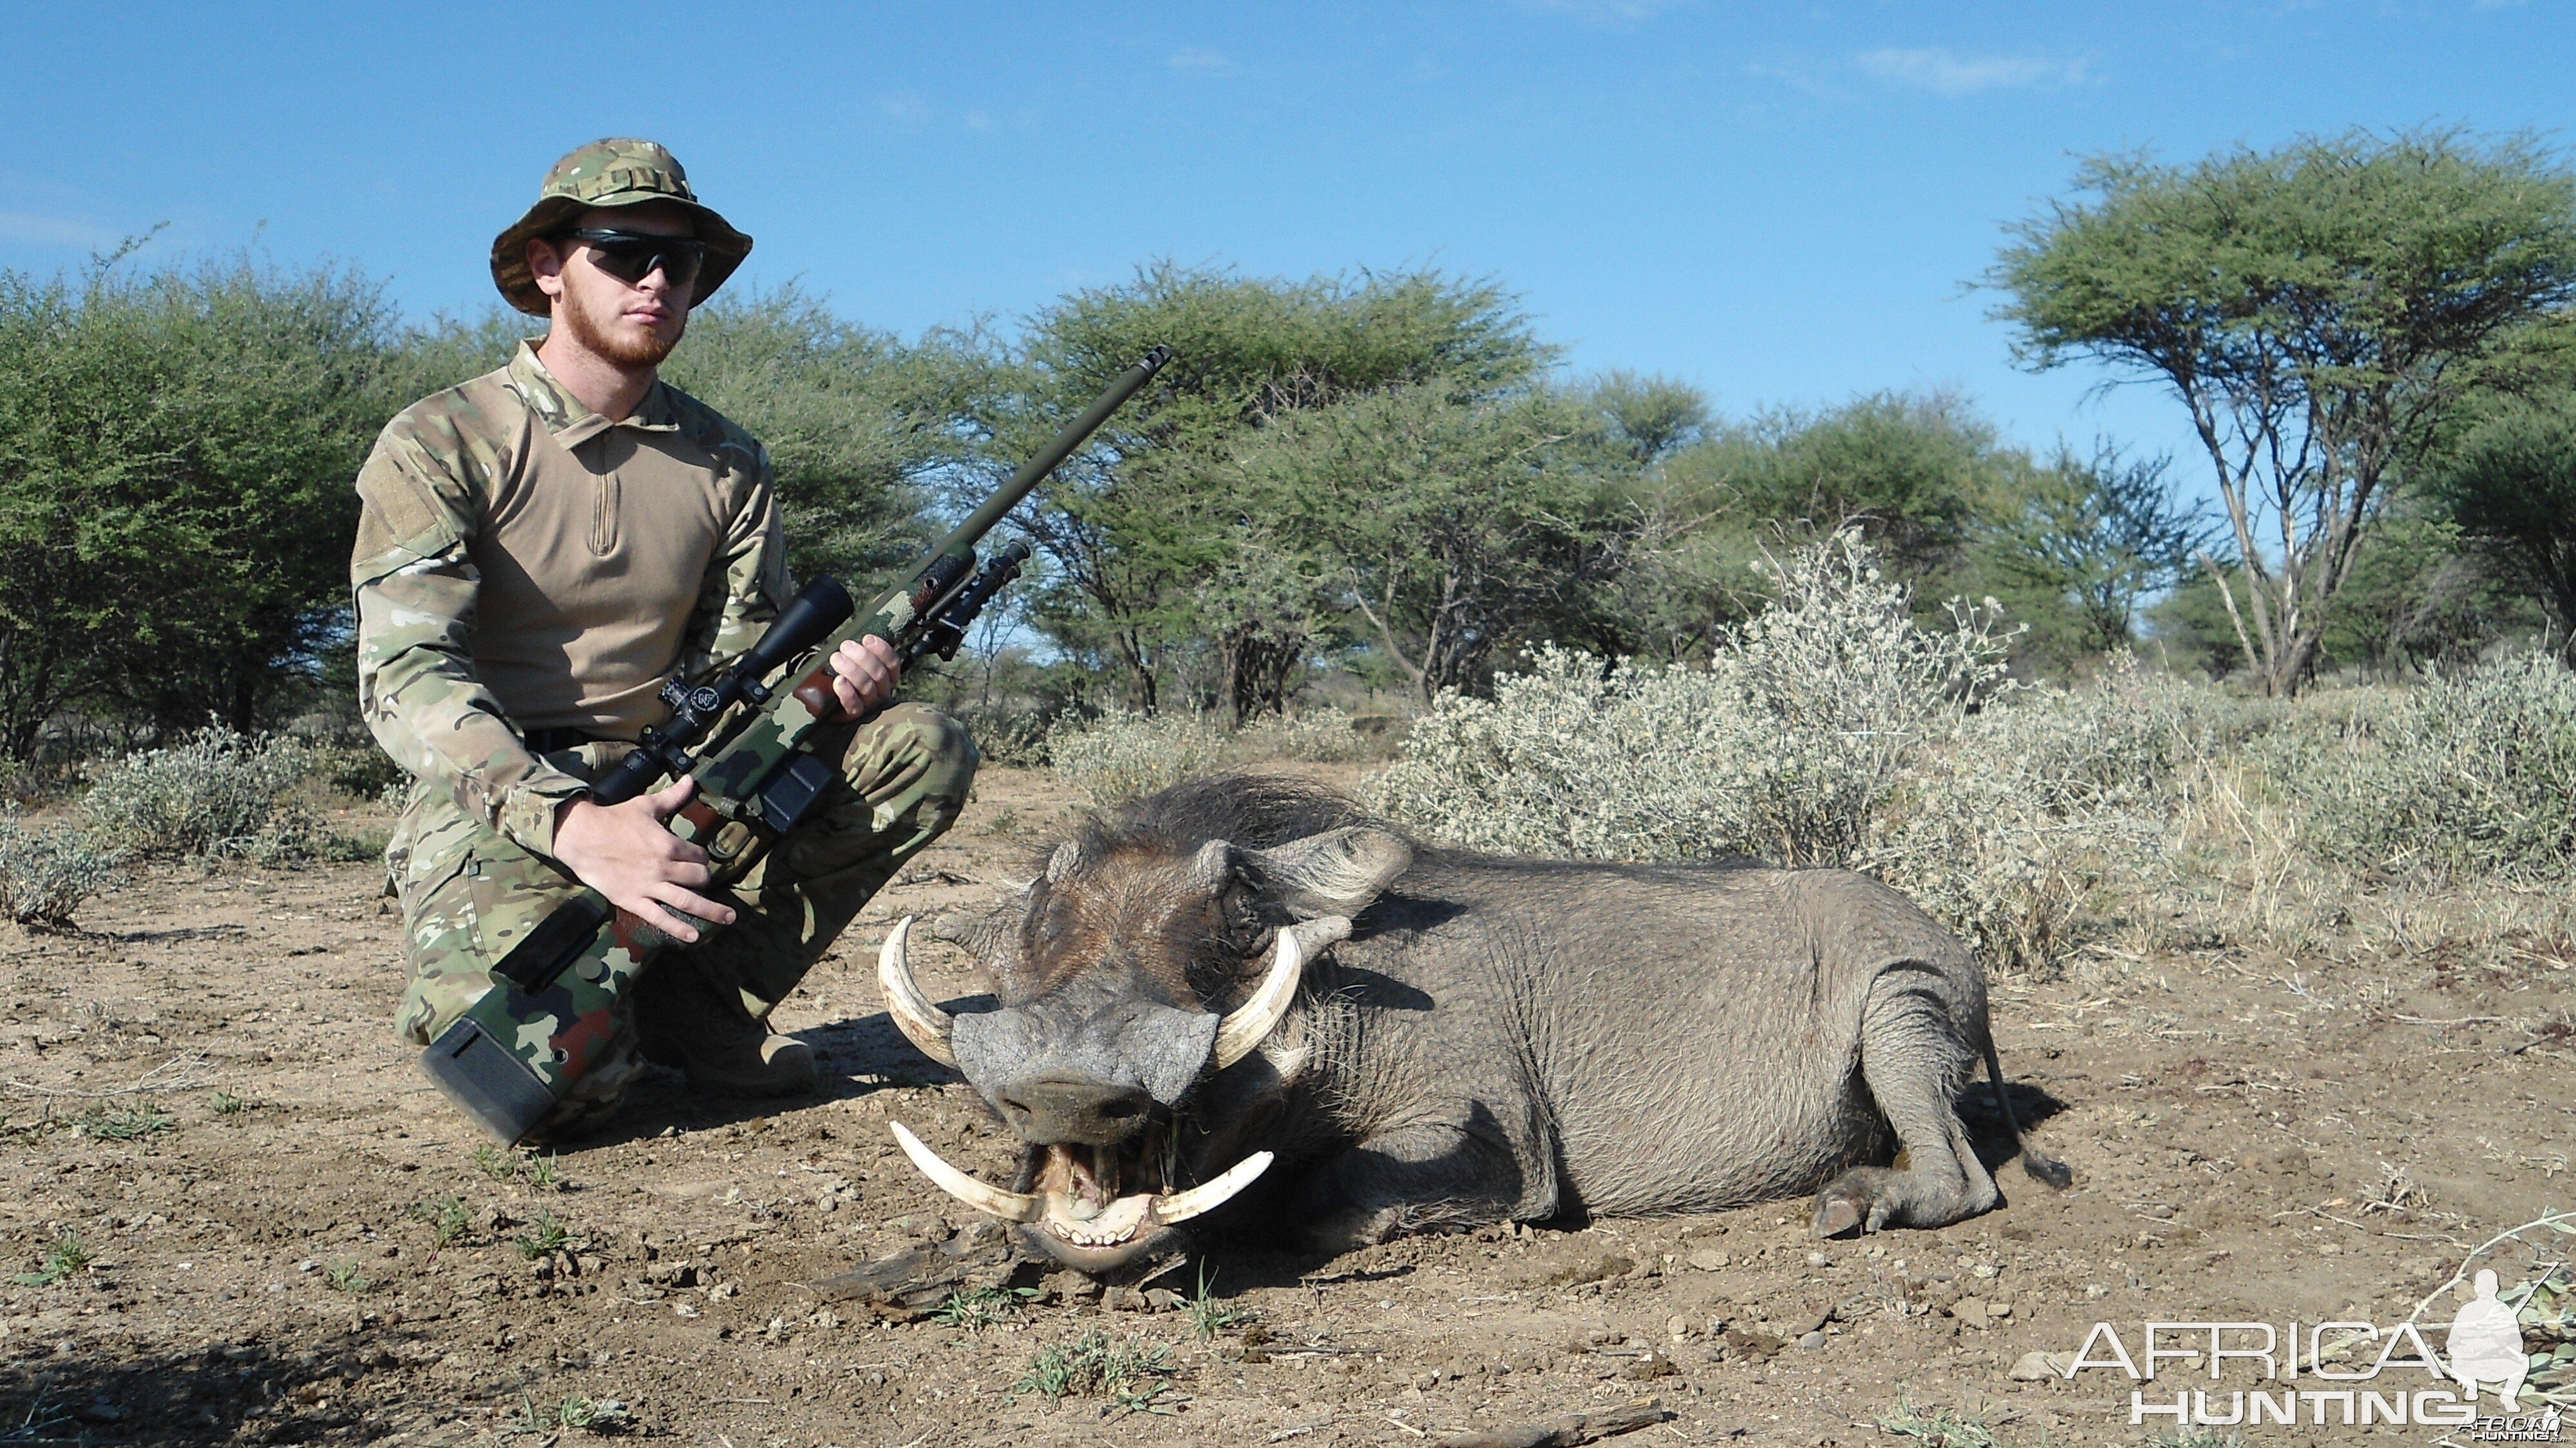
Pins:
<point x="470" y="893"/>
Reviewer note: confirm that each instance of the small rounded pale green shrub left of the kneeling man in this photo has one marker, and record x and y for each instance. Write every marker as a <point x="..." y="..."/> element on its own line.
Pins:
<point x="210" y="795"/>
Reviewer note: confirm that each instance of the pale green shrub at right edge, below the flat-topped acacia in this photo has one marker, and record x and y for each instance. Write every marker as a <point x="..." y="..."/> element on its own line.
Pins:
<point x="2459" y="777"/>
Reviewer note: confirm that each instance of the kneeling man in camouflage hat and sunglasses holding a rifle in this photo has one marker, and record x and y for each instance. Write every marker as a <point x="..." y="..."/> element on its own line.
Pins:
<point x="537" y="553"/>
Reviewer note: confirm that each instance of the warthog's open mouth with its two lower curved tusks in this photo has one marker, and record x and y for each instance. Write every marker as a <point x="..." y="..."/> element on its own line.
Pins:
<point x="1078" y="1210"/>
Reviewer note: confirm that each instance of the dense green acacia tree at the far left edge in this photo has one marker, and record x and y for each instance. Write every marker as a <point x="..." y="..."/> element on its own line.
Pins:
<point x="174" y="486"/>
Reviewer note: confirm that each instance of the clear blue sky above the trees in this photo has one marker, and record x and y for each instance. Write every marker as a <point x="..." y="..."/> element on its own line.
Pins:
<point x="1779" y="202"/>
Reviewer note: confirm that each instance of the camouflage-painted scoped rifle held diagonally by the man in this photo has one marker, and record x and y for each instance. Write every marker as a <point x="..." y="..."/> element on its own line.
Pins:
<point x="553" y="1006"/>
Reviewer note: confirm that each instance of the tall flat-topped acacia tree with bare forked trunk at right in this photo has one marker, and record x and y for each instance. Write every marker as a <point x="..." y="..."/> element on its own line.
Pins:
<point x="2317" y="310"/>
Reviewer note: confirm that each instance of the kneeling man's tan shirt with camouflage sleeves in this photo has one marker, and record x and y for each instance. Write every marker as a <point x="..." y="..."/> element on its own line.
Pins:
<point x="527" y="566"/>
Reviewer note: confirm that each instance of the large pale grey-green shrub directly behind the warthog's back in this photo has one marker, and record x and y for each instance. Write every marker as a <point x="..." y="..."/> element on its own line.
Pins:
<point x="1789" y="746"/>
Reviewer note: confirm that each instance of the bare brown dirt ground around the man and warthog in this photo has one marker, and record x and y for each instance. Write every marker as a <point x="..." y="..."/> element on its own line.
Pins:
<point x="2255" y="1140"/>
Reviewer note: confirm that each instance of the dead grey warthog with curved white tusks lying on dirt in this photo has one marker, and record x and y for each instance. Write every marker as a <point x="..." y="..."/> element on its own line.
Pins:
<point x="1240" y="975"/>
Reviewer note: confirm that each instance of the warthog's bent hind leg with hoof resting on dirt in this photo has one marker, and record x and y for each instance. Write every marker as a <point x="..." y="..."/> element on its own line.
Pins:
<point x="1915" y="1060"/>
